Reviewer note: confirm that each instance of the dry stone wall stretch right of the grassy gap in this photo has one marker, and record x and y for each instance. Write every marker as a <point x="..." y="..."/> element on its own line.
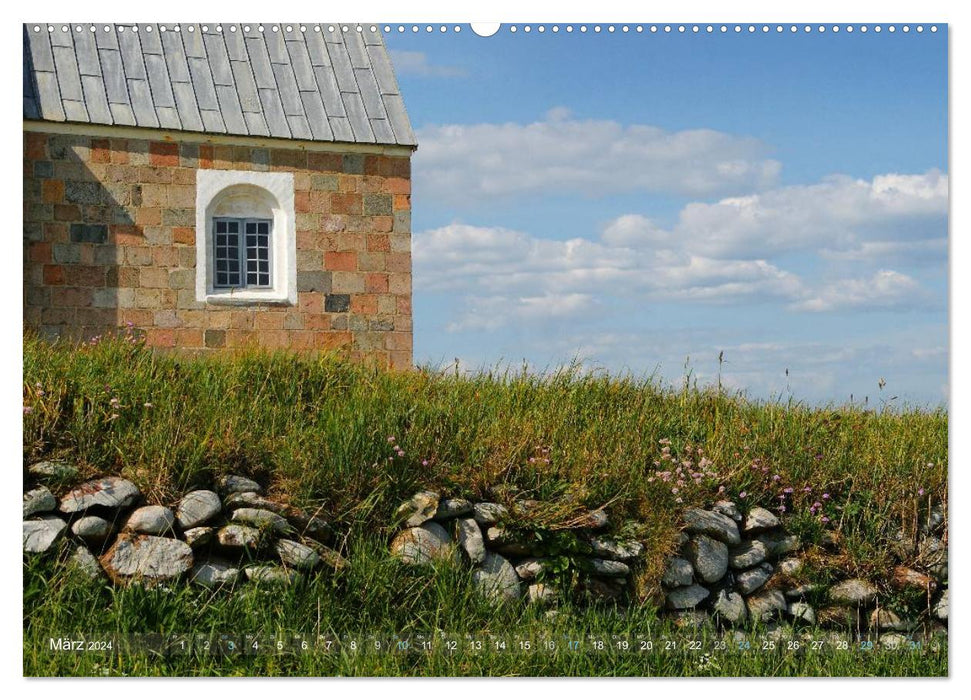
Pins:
<point x="731" y="569"/>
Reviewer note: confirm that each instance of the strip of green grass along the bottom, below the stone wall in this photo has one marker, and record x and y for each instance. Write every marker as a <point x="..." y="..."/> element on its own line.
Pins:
<point x="379" y="595"/>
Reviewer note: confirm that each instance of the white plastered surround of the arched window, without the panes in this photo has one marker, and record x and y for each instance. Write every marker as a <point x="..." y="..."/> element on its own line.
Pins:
<point x="275" y="188"/>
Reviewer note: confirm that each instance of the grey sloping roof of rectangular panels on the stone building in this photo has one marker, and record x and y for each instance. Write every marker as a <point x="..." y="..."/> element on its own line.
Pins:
<point x="314" y="85"/>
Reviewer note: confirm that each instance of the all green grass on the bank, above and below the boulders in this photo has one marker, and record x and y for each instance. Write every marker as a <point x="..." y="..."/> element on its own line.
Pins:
<point x="316" y="431"/>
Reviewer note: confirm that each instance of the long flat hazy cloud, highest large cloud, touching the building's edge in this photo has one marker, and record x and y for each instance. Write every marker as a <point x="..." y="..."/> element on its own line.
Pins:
<point x="562" y="155"/>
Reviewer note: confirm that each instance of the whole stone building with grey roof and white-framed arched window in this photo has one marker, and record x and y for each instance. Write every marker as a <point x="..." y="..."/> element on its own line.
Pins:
<point x="218" y="186"/>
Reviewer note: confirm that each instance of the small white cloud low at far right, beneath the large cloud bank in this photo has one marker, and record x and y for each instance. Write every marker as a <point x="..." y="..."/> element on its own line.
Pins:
<point x="885" y="289"/>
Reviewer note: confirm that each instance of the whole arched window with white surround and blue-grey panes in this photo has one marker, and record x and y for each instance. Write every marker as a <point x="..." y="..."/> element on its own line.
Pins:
<point x="245" y="237"/>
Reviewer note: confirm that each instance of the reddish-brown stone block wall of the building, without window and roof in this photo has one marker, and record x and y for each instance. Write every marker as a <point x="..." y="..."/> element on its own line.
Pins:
<point x="109" y="241"/>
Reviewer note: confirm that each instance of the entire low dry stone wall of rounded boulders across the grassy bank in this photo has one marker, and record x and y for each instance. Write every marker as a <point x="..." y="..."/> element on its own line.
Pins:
<point x="731" y="569"/>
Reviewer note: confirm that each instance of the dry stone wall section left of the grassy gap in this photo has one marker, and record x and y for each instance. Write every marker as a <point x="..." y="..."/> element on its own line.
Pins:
<point x="216" y="537"/>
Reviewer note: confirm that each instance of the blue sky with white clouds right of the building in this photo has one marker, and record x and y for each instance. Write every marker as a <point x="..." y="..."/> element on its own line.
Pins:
<point x="642" y="200"/>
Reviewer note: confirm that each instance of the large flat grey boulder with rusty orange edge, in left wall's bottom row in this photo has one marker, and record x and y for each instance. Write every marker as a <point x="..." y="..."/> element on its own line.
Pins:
<point x="146" y="558"/>
